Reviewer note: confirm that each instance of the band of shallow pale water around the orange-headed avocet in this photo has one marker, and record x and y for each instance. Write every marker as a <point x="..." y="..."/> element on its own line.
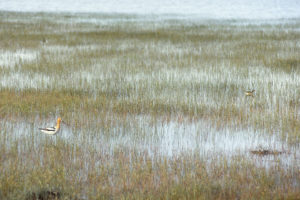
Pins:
<point x="162" y="139"/>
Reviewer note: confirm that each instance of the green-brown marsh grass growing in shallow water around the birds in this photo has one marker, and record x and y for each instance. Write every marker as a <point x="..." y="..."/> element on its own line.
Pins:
<point x="132" y="90"/>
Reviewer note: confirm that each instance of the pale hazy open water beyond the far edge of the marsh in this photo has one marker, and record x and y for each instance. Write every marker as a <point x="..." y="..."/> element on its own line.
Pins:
<point x="219" y="9"/>
